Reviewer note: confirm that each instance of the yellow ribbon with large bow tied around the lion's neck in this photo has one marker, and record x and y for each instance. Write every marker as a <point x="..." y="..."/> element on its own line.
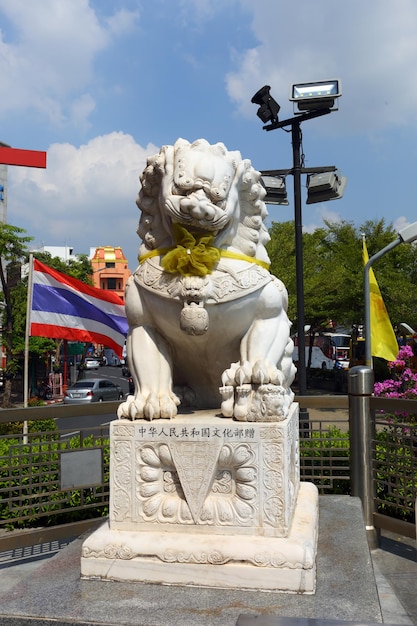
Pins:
<point x="194" y="255"/>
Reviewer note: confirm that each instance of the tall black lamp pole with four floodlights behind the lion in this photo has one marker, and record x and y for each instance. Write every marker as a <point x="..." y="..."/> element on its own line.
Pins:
<point x="313" y="100"/>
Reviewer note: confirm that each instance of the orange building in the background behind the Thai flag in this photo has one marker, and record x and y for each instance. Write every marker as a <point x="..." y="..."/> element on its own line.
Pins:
<point x="110" y="269"/>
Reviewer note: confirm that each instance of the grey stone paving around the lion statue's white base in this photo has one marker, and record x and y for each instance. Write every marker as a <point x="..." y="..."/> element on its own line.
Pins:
<point x="352" y="585"/>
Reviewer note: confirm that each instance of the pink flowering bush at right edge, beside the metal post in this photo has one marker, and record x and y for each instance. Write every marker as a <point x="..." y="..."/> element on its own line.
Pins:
<point x="403" y="381"/>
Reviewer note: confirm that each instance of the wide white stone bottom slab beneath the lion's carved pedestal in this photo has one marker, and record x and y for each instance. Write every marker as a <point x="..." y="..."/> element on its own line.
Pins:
<point x="286" y="564"/>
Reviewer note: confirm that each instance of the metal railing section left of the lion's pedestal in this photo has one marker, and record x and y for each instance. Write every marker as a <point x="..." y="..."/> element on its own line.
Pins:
<point x="37" y="487"/>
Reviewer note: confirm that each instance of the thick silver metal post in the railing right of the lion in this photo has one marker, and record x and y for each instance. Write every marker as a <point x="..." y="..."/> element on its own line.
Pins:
<point x="361" y="429"/>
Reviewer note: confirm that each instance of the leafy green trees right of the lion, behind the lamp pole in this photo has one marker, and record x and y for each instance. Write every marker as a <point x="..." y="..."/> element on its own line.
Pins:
<point x="333" y="271"/>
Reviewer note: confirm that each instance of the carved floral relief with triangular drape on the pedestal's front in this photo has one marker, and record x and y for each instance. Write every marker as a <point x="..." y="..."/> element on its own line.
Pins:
<point x="171" y="489"/>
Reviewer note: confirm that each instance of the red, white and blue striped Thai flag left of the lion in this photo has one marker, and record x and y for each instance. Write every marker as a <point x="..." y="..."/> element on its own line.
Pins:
<point x="63" y="307"/>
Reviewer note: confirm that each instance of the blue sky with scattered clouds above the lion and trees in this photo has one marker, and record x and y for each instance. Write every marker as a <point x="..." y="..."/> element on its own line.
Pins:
<point x="102" y="84"/>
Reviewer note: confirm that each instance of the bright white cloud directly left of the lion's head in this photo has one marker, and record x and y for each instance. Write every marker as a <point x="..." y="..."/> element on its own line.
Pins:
<point x="85" y="197"/>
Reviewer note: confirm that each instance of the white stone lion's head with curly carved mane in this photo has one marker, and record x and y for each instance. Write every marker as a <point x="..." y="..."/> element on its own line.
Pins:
<point x="204" y="188"/>
